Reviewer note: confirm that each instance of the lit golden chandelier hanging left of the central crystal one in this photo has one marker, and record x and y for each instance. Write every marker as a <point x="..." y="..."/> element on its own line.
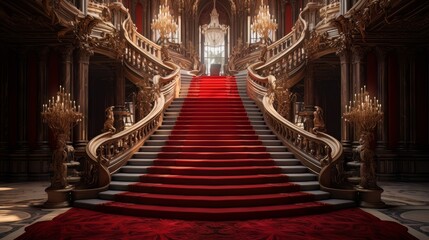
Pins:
<point x="164" y="22"/>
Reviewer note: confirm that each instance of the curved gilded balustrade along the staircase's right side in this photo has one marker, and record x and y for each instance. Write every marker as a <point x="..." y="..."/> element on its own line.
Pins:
<point x="321" y="153"/>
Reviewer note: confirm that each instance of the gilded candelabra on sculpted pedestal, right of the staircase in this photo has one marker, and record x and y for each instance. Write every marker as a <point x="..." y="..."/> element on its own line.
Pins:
<point x="365" y="113"/>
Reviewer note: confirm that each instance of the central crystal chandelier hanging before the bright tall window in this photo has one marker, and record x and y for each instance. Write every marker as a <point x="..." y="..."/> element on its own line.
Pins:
<point x="214" y="32"/>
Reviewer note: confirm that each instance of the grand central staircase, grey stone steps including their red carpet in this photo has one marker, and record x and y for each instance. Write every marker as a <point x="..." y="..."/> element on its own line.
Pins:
<point x="213" y="158"/>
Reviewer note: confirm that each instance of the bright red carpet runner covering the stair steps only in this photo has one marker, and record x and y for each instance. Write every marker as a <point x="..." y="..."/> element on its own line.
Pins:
<point x="214" y="167"/>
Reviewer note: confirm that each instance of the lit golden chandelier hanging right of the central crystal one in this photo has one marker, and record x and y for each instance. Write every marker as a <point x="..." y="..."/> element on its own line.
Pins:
<point x="264" y="23"/>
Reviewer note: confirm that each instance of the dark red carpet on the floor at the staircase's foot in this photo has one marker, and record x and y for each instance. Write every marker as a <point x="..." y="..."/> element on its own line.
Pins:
<point x="343" y="224"/>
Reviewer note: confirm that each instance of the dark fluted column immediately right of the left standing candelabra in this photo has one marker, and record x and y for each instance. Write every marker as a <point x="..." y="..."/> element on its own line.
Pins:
<point x="81" y="96"/>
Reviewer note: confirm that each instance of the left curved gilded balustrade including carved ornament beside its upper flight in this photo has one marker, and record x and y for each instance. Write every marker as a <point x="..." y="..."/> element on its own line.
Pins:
<point x="109" y="30"/>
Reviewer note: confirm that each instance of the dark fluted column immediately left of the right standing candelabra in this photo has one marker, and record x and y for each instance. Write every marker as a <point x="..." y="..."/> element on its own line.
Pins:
<point x="345" y="98"/>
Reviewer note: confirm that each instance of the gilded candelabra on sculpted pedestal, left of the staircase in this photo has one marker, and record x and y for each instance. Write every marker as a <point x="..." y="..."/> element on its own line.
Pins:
<point x="61" y="114"/>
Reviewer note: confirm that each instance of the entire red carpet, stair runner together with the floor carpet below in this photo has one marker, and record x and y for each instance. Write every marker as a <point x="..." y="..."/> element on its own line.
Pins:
<point x="214" y="167"/>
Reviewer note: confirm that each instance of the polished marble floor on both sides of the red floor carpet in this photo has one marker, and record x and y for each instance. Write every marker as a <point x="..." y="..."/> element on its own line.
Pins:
<point x="21" y="204"/>
